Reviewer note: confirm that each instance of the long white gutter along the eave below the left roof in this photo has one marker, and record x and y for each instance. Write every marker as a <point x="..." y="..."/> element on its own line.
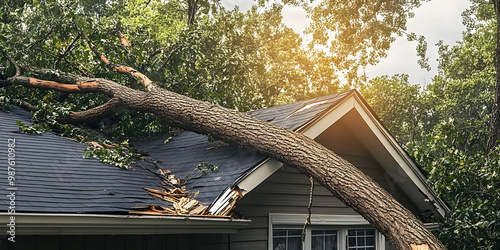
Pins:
<point x="94" y="224"/>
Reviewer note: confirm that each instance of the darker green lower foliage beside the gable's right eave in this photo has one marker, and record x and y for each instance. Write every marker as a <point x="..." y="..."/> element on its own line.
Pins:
<point x="470" y="182"/>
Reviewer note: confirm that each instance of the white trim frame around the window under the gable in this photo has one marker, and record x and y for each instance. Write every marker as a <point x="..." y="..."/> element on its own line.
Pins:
<point x="341" y="223"/>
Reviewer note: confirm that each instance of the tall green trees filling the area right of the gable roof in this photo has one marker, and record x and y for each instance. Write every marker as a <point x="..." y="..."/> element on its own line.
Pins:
<point x="453" y="118"/>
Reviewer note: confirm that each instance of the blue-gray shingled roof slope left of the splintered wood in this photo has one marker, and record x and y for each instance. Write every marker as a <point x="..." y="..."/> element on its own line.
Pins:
<point x="53" y="177"/>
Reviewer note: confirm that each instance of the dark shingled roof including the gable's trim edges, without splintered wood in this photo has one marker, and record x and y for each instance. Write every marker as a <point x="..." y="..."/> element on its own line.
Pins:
<point x="52" y="176"/>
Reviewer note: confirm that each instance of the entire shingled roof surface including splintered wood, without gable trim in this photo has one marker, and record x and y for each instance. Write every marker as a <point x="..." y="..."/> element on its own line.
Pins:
<point x="53" y="177"/>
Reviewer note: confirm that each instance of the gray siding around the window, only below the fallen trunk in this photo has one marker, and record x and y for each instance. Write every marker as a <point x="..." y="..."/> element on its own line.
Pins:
<point x="286" y="191"/>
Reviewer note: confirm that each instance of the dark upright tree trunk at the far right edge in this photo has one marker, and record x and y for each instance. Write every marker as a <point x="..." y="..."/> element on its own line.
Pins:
<point x="494" y="129"/>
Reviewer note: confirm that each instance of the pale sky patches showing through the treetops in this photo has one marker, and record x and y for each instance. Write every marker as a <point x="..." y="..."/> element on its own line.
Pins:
<point x="436" y="20"/>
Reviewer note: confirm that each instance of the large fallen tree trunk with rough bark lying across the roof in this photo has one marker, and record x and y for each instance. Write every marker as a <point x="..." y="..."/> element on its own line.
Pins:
<point x="340" y="177"/>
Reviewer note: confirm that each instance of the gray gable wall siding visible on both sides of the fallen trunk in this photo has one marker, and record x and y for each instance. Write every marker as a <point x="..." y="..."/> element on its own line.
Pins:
<point x="287" y="191"/>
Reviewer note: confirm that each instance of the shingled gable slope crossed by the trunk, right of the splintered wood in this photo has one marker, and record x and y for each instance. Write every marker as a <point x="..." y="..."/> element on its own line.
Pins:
<point x="185" y="151"/>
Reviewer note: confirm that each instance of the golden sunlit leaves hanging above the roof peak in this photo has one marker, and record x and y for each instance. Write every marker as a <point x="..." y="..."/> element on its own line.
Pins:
<point x="358" y="32"/>
